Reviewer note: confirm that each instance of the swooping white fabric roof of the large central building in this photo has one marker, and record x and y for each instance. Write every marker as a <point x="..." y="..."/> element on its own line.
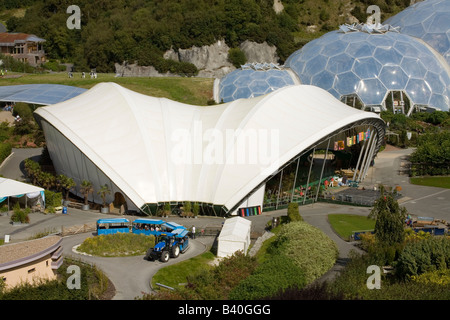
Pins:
<point x="140" y="142"/>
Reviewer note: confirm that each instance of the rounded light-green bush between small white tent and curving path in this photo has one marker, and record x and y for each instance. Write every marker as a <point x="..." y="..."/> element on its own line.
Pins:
<point x="308" y="247"/>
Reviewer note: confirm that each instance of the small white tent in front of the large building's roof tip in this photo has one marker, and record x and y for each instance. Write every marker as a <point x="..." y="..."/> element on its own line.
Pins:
<point x="235" y="236"/>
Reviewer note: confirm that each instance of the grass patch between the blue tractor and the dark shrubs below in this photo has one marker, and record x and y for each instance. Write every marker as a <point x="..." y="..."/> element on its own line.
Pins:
<point x="176" y="274"/>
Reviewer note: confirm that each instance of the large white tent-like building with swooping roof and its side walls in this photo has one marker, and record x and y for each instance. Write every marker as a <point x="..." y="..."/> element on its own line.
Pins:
<point x="153" y="151"/>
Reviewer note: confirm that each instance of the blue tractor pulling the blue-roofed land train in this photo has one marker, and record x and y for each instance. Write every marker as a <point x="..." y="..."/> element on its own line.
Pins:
<point x="169" y="245"/>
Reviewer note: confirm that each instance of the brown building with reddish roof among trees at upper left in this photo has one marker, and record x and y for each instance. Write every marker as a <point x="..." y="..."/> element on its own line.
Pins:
<point x="23" y="47"/>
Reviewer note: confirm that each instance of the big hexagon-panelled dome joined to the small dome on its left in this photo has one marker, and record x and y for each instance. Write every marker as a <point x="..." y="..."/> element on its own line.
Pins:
<point x="369" y="67"/>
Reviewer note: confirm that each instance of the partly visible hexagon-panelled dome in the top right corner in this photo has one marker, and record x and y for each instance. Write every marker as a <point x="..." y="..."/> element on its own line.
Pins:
<point x="428" y="20"/>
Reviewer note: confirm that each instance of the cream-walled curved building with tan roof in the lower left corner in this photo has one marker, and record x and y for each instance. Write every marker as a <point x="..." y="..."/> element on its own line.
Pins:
<point x="30" y="260"/>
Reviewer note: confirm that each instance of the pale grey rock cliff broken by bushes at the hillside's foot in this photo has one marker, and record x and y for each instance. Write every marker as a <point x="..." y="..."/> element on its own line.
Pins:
<point x="211" y="61"/>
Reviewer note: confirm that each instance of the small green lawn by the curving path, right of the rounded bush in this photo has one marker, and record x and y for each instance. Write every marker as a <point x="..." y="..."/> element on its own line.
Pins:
<point x="345" y="224"/>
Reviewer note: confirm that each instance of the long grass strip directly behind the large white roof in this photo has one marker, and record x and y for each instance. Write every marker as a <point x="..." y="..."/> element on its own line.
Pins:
<point x="195" y="91"/>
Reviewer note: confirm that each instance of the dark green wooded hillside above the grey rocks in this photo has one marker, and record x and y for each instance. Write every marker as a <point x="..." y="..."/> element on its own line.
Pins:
<point x="137" y="30"/>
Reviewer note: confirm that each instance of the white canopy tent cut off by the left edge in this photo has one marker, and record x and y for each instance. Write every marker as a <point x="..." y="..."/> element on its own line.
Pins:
<point x="11" y="188"/>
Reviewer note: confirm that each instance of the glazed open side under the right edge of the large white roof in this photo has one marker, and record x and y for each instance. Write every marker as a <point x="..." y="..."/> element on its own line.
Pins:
<point x="322" y="172"/>
